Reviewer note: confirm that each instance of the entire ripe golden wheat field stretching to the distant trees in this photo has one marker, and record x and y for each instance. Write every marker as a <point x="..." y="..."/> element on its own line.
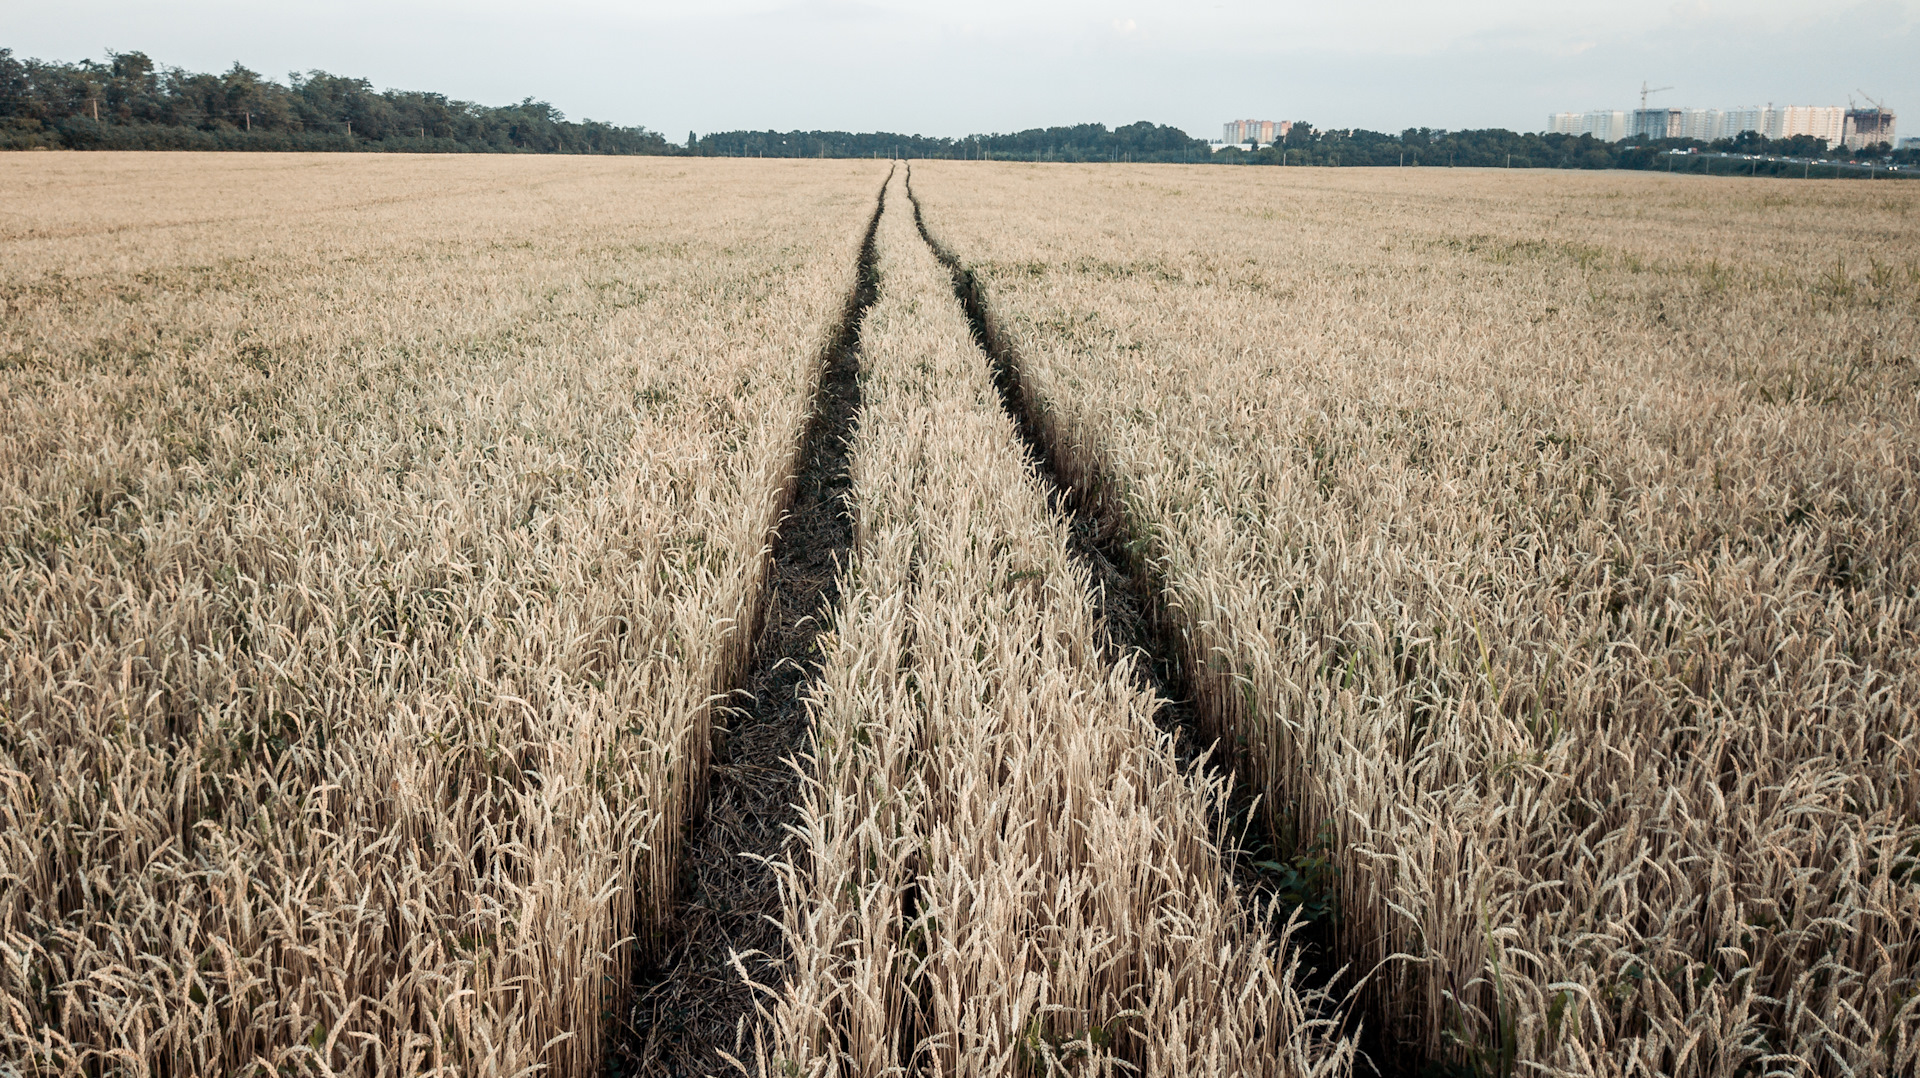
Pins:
<point x="1295" y="622"/>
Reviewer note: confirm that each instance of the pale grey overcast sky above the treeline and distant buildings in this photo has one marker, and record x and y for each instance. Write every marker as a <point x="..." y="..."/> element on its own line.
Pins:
<point x="1013" y="64"/>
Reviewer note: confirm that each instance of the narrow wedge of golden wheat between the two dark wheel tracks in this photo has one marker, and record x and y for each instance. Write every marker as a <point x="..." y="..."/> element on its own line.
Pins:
<point x="1003" y="868"/>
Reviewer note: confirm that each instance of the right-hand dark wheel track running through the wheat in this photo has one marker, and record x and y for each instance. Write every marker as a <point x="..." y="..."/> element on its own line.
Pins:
<point x="1132" y="600"/>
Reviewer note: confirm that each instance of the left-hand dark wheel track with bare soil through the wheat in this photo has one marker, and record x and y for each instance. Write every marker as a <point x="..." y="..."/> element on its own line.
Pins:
<point x="686" y="1010"/>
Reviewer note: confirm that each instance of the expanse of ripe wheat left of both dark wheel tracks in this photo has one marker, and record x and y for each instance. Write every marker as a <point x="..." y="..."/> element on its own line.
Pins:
<point x="375" y="535"/>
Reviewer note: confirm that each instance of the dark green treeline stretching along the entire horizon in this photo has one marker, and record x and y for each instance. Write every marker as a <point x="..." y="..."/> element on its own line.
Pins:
<point x="130" y="103"/>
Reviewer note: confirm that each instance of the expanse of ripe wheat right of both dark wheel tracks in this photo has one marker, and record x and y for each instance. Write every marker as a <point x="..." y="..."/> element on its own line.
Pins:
<point x="1550" y="547"/>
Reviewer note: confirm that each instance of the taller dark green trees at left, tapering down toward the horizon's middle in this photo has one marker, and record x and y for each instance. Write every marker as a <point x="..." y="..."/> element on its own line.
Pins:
<point x="130" y="103"/>
